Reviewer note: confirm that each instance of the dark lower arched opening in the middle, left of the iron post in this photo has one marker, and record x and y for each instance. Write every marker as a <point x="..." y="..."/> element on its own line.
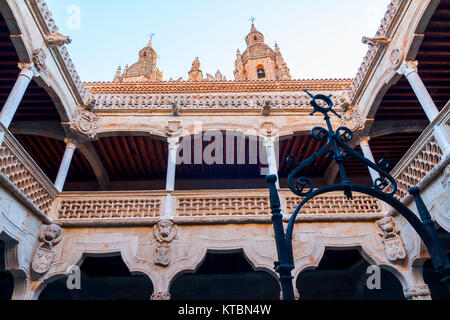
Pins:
<point x="225" y="276"/>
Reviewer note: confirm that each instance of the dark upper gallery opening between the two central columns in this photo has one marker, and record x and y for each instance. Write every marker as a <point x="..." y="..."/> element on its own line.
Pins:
<point x="221" y="159"/>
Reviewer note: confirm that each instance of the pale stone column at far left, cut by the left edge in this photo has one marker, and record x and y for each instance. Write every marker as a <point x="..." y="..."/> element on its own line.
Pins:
<point x="15" y="97"/>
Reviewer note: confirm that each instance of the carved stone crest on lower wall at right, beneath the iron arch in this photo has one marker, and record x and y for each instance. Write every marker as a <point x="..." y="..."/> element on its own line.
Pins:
<point x="393" y="244"/>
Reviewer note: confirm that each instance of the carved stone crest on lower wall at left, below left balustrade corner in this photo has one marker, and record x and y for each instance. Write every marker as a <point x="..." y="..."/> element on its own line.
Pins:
<point x="49" y="236"/>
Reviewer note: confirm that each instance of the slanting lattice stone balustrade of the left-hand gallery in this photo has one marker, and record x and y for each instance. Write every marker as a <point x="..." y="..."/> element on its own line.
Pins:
<point x="21" y="171"/>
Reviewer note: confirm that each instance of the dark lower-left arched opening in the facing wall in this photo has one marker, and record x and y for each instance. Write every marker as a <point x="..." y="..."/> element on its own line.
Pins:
<point x="102" y="278"/>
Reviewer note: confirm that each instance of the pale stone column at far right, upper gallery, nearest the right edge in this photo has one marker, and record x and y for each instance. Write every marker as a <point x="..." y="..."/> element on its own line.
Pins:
<point x="409" y="69"/>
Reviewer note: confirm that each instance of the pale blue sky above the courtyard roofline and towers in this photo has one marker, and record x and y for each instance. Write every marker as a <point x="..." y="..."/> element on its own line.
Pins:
<point x="318" y="38"/>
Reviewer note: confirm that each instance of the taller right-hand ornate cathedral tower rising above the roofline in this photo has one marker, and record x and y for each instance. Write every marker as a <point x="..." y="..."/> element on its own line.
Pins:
<point x="259" y="61"/>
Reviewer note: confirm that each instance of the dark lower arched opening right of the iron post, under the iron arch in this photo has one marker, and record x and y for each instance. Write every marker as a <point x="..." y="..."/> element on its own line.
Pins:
<point x="342" y="275"/>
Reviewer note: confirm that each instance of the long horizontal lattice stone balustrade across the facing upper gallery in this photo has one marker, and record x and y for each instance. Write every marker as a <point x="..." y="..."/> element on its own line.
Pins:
<point x="201" y="206"/>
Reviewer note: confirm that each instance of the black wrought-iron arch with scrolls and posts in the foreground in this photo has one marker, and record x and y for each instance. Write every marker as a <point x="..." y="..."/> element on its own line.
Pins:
<point x="303" y="187"/>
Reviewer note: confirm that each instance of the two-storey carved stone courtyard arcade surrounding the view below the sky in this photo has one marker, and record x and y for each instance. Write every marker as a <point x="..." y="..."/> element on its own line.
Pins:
<point x="99" y="161"/>
